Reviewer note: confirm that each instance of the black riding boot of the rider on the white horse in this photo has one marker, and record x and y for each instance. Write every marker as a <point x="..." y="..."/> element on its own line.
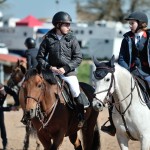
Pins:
<point x="111" y="130"/>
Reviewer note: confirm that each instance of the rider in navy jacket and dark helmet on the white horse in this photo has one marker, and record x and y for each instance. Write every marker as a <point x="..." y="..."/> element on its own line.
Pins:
<point x="134" y="53"/>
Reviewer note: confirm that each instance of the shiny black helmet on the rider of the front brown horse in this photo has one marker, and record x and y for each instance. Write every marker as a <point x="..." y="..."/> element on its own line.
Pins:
<point x="61" y="17"/>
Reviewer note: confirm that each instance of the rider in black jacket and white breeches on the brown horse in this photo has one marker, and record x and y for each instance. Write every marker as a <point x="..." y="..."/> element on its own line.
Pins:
<point x="60" y="52"/>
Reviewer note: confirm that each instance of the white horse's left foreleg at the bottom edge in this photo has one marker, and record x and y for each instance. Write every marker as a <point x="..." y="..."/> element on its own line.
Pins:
<point x="123" y="141"/>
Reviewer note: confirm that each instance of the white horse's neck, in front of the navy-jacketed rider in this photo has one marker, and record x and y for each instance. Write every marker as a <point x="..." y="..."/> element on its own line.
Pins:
<point x="125" y="88"/>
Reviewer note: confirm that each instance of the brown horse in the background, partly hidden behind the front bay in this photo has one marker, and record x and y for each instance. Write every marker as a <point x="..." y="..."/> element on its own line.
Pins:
<point x="15" y="81"/>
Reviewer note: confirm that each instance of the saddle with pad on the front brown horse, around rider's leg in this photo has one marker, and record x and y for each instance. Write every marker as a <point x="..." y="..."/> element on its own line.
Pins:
<point x="66" y="93"/>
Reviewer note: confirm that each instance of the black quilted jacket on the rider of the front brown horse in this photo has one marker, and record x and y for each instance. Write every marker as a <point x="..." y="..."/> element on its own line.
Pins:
<point x="59" y="53"/>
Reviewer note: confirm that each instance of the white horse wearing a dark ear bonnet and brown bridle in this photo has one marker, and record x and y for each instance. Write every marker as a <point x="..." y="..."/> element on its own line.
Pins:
<point x="130" y="114"/>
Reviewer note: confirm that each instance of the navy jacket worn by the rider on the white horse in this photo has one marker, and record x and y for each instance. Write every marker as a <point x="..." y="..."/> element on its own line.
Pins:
<point x="125" y="58"/>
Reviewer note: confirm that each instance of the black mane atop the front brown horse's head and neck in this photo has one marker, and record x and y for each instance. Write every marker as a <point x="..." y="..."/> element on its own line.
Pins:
<point x="46" y="74"/>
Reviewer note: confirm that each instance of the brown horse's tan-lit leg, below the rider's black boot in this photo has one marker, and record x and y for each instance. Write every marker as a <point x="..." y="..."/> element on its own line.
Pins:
<point x="75" y="141"/>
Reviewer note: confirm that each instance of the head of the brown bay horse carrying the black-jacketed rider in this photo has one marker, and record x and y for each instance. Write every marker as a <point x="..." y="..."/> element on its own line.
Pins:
<point x="39" y="89"/>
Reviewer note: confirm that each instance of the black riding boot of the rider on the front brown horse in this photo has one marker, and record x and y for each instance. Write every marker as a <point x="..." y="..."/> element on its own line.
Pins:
<point x="80" y="109"/>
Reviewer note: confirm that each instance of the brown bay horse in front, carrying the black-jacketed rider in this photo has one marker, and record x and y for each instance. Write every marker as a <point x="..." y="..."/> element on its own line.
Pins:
<point x="50" y="115"/>
